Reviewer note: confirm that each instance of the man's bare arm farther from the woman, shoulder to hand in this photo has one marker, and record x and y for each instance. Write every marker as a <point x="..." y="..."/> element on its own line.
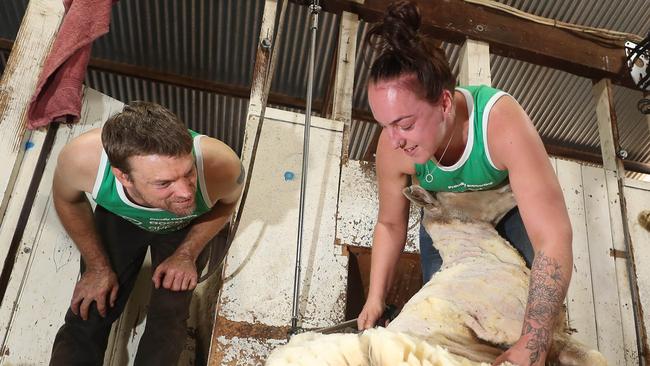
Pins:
<point x="73" y="174"/>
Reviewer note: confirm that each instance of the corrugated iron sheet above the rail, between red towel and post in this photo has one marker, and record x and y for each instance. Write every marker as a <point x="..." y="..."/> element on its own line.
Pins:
<point x="205" y="39"/>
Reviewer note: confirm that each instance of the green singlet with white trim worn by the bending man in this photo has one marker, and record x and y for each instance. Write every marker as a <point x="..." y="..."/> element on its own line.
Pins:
<point x="109" y="193"/>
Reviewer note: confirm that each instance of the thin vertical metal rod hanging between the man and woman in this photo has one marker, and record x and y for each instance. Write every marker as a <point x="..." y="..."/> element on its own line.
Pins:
<point x="315" y="9"/>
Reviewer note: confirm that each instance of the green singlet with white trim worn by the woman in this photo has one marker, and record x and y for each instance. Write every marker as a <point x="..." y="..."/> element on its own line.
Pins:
<point x="474" y="170"/>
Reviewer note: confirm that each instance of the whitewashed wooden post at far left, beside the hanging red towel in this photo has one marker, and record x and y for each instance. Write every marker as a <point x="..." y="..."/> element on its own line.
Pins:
<point x="35" y="37"/>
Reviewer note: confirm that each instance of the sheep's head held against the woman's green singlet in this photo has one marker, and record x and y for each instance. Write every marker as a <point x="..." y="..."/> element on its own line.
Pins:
<point x="476" y="206"/>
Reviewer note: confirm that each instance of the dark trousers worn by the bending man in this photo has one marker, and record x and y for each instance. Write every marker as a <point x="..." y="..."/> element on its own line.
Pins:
<point x="83" y="342"/>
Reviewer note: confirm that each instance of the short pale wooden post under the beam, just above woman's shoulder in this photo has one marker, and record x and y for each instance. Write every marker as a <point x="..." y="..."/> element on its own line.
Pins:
<point x="475" y="63"/>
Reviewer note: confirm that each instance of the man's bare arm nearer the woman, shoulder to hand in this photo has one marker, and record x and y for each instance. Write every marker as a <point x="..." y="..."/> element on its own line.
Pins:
<point x="224" y="178"/>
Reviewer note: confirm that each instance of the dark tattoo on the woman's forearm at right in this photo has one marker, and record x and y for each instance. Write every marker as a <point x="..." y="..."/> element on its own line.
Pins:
<point x="545" y="297"/>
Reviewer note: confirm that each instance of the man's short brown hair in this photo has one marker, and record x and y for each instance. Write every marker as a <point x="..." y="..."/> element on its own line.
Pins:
<point x="144" y="128"/>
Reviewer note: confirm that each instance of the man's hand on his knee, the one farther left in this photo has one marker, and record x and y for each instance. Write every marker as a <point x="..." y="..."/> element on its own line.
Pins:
<point x="95" y="285"/>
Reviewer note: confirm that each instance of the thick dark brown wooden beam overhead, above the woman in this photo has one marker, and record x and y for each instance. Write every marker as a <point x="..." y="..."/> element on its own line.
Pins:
<point x="455" y="20"/>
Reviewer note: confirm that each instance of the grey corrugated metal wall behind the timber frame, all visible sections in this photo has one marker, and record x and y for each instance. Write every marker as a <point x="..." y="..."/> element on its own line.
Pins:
<point x="216" y="41"/>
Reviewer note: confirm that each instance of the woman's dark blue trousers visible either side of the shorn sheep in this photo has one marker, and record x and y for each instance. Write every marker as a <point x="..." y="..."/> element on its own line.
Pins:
<point x="511" y="227"/>
